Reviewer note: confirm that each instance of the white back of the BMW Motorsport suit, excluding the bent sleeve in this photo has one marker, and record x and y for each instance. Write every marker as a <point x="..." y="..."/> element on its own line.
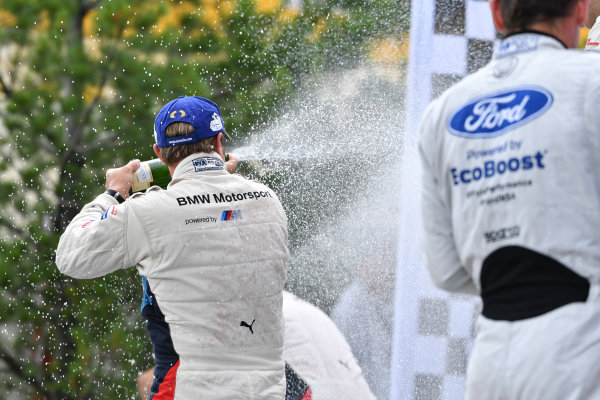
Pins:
<point x="220" y="244"/>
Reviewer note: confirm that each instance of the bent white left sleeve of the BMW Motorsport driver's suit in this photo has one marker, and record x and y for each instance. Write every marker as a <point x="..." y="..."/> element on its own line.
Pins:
<point x="96" y="241"/>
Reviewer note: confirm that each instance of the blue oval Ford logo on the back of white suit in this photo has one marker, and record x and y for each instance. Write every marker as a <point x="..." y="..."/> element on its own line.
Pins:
<point x="498" y="113"/>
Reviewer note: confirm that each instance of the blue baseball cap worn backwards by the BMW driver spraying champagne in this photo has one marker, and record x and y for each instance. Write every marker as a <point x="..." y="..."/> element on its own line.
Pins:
<point x="203" y="114"/>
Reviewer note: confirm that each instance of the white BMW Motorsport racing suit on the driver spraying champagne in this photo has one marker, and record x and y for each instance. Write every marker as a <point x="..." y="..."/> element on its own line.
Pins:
<point x="212" y="251"/>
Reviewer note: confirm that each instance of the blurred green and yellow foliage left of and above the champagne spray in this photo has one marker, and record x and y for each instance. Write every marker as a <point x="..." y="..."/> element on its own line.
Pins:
<point x="80" y="82"/>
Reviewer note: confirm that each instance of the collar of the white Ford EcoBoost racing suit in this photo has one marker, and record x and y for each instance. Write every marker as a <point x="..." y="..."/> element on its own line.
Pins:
<point x="525" y="41"/>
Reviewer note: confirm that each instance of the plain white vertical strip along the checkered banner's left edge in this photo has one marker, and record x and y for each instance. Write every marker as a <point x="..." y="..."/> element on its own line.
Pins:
<point x="409" y="270"/>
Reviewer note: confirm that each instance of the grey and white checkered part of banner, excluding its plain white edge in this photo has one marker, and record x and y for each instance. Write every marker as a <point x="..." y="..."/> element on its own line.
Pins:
<point x="446" y="323"/>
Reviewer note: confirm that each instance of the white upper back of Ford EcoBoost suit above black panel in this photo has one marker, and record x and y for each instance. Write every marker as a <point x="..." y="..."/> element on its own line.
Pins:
<point x="537" y="171"/>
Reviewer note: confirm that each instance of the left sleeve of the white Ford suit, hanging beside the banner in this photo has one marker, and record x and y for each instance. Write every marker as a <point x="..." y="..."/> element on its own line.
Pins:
<point x="441" y="254"/>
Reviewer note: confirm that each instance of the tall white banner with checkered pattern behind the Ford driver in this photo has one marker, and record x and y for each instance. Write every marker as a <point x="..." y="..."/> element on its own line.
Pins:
<point x="433" y="330"/>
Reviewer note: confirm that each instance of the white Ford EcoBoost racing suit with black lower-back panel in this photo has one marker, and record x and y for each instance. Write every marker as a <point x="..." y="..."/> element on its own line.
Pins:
<point x="511" y="211"/>
